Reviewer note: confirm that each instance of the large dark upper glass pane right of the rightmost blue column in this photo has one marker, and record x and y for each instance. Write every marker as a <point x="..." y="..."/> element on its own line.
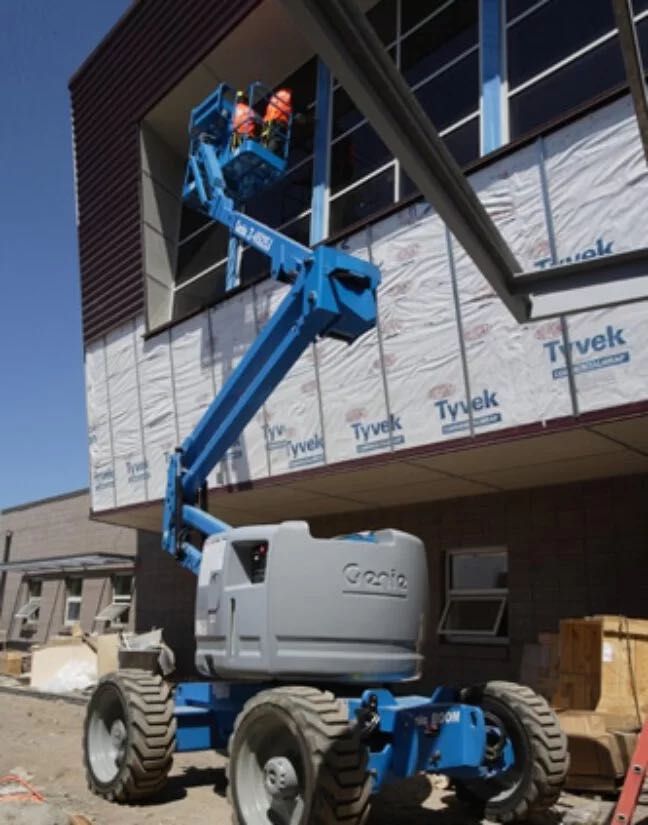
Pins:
<point x="553" y="32"/>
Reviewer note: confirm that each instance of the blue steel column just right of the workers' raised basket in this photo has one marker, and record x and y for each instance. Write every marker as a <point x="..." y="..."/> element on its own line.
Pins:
<point x="321" y="158"/>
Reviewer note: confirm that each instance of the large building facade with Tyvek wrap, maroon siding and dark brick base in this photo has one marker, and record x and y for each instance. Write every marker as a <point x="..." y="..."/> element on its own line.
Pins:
<point x="449" y="420"/>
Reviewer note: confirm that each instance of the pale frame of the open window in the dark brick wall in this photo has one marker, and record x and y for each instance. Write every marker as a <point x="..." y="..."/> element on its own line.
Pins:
<point x="454" y="595"/>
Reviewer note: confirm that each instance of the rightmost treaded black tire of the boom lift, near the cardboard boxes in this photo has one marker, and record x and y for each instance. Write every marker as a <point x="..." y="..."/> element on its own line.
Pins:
<point x="540" y="746"/>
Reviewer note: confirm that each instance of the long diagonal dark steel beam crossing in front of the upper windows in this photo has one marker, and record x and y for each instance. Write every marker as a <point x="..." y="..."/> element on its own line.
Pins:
<point x="344" y="38"/>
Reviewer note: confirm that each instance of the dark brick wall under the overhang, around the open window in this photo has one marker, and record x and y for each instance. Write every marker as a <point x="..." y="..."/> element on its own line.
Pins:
<point x="574" y="550"/>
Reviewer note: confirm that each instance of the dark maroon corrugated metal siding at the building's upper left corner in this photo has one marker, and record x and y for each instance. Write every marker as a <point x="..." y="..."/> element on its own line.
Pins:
<point x="156" y="44"/>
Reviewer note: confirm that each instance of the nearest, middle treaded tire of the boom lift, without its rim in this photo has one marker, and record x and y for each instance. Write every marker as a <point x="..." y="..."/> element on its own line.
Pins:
<point x="338" y="785"/>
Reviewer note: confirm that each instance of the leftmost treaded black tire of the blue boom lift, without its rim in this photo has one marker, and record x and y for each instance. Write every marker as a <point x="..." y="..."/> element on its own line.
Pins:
<point x="147" y="713"/>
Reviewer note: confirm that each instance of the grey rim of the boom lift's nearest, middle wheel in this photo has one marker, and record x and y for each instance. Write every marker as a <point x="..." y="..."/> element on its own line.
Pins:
<point x="270" y="772"/>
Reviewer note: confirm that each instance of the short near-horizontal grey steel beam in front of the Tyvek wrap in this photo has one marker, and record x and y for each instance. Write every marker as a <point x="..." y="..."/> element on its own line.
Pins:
<point x="597" y="282"/>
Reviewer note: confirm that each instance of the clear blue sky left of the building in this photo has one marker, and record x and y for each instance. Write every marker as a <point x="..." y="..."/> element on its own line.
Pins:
<point x="43" y="438"/>
